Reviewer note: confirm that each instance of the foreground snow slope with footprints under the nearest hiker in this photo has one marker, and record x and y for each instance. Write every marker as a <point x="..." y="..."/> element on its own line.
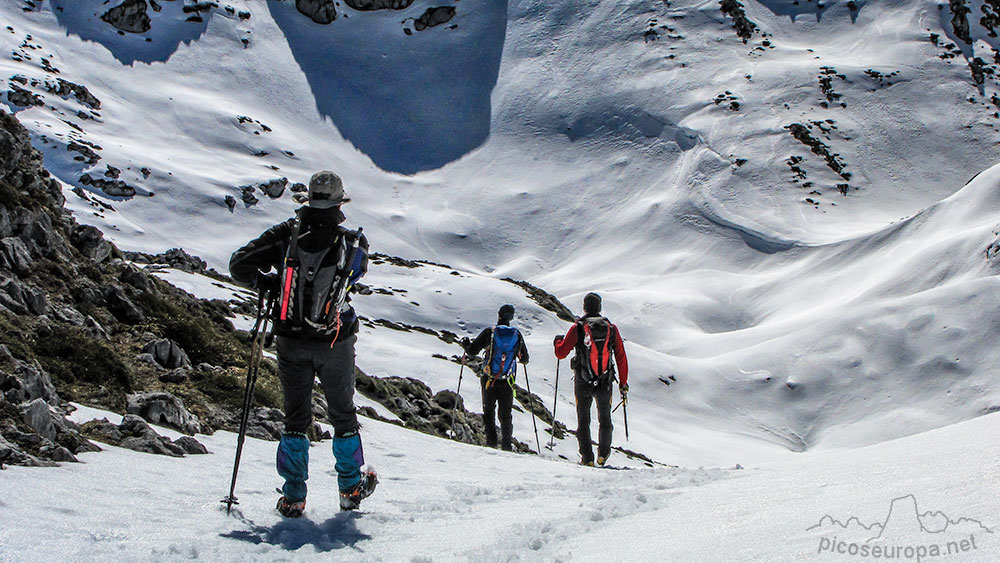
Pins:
<point x="446" y="501"/>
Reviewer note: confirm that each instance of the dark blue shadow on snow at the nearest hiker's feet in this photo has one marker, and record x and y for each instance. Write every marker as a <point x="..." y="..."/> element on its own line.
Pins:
<point x="336" y="533"/>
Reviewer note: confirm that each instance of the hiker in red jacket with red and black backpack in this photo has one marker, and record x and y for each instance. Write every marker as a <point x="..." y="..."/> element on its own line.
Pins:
<point x="594" y="339"/>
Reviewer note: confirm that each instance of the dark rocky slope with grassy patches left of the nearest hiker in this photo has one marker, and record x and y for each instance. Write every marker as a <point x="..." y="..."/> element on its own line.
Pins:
<point x="63" y="290"/>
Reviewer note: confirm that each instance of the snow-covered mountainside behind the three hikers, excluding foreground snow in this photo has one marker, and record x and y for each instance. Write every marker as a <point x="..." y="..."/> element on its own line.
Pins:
<point x="773" y="197"/>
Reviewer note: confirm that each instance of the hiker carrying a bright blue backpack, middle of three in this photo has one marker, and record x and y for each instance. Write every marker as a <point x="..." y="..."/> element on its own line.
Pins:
<point x="504" y="345"/>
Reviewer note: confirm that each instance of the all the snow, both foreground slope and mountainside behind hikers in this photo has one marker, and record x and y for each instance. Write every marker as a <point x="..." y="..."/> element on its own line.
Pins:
<point x="839" y="348"/>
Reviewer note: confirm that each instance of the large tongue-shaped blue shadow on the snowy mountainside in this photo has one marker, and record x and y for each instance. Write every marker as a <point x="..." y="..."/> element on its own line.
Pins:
<point x="410" y="102"/>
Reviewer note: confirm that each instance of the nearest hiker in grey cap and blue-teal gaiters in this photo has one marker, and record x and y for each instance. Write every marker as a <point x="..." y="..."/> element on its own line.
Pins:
<point x="316" y="330"/>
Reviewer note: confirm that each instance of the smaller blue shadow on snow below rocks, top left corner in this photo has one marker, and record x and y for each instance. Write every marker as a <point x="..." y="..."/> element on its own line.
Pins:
<point x="168" y="29"/>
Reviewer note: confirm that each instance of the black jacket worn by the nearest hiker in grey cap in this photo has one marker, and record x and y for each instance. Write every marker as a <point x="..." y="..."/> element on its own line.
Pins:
<point x="320" y="229"/>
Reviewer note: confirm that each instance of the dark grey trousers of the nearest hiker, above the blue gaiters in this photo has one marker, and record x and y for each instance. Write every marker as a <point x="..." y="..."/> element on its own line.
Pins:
<point x="300" y="361"/>
